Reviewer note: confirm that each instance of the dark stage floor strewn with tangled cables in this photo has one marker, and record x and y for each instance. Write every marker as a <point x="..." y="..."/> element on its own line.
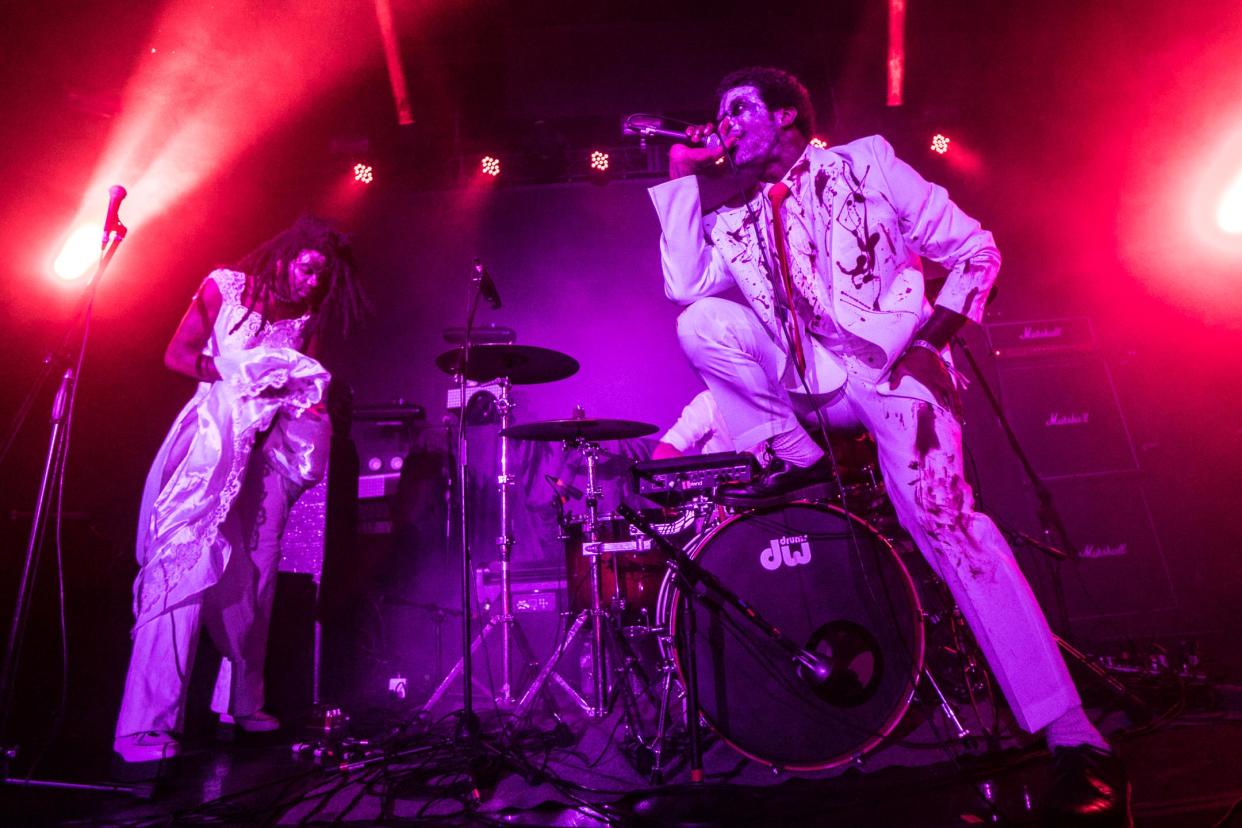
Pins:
<point x="1183" y="767"/>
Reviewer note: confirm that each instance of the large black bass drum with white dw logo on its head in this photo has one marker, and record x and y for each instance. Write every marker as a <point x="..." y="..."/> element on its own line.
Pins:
<point x="835" y="587"/>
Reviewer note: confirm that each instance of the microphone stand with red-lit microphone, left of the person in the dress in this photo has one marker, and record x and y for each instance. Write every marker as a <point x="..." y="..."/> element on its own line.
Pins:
<point x="50" y="500"/>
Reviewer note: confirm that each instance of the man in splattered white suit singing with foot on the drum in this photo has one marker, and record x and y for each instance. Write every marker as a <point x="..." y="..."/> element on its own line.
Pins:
<point x="825" y="245"/>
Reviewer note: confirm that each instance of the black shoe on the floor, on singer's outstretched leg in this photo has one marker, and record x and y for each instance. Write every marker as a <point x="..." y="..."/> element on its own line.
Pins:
<point x="1089" y="789"/>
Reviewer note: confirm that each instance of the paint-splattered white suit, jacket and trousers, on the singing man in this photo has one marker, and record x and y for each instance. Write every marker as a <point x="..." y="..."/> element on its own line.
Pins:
<point x="858" y="222"/>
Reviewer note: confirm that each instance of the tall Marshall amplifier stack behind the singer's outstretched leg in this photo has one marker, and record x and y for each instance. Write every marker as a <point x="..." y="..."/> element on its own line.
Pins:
<point x="1060" y="398"/>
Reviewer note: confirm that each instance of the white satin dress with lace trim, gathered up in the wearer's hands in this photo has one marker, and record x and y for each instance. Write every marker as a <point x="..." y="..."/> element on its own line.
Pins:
<point x="183" y="536"/>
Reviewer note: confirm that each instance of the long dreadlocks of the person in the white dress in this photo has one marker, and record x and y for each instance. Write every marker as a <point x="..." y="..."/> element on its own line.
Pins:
<point x="268" y="268"/>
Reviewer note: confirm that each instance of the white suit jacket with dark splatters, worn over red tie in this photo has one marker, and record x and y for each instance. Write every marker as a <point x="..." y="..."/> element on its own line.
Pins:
<point x="858" y="222"/>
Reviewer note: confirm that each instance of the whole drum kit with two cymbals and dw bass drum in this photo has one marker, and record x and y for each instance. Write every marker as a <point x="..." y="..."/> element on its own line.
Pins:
<point x="796" y="632"/>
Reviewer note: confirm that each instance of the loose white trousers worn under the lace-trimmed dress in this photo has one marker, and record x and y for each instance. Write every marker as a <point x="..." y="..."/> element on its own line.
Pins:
<point x="238" y="613"/>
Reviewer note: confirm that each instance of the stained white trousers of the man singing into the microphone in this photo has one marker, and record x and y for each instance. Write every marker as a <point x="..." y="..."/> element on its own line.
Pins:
<point x="920" y="446"/>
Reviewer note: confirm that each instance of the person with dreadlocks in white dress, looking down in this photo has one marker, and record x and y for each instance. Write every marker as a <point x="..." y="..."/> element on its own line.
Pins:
<point x="254" y="438"/>
